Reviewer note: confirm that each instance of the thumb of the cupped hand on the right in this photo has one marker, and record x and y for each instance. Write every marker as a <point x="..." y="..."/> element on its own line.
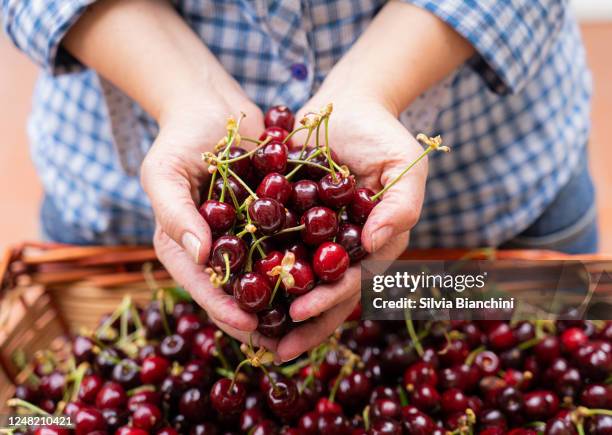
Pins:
<point x="400" y="207"/>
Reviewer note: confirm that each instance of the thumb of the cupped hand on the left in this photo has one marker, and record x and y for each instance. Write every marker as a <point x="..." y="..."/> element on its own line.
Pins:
<point x="168" y="181"/>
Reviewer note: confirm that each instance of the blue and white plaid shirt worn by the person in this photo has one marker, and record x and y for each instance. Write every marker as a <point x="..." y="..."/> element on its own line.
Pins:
<point x="516" y="115"/>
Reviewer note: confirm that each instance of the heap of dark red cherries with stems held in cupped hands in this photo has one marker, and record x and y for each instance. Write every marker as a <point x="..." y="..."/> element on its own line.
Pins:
<point x="284" y="216"/>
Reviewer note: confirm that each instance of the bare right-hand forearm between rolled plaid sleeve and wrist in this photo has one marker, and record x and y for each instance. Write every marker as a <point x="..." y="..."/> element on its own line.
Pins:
<point x="404" y="51"/>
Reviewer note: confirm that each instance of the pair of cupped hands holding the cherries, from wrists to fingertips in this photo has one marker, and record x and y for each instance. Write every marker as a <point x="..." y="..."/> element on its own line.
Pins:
<point x="366" y="136"/>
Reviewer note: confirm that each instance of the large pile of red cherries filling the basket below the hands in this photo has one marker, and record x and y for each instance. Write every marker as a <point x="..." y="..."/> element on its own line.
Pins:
<point x="166" y="370"/>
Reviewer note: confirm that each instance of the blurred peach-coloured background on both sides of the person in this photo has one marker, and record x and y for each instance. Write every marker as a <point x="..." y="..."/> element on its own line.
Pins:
<point x="20" y="190"/>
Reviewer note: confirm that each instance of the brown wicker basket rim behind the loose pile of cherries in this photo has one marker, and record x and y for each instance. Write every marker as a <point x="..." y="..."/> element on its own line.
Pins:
<point x="48" y="291"/>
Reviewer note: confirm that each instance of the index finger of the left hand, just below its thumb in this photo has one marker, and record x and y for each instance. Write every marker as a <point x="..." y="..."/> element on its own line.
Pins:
<point x="215" y="301"/>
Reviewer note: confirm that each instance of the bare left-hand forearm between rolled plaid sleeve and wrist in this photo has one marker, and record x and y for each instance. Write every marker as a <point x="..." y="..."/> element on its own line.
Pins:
<point x="146" y="49"/>
